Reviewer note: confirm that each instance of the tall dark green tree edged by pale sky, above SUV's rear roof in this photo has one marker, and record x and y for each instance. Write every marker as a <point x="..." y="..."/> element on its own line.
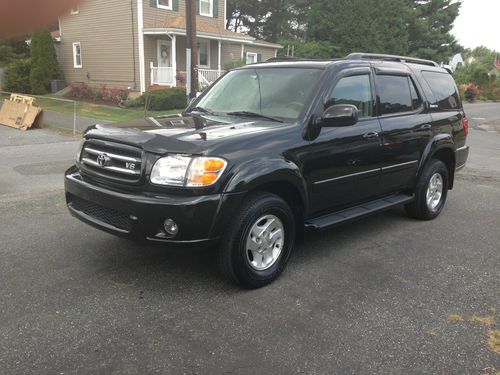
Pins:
<point x="430" y="29"/>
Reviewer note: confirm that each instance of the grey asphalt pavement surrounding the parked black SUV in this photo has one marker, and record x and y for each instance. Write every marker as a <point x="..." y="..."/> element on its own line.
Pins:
<point x="385" y="295"/>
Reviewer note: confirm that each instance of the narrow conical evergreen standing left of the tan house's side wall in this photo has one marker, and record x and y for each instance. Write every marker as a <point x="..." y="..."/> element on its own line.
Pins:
<point x="44" y="66"/>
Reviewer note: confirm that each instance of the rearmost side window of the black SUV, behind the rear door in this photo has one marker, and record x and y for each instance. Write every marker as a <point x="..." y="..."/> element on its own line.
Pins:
<point x="444" y="89"/>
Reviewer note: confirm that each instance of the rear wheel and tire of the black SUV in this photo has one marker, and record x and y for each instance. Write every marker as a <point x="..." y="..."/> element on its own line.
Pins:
<point x="430" y="193"/>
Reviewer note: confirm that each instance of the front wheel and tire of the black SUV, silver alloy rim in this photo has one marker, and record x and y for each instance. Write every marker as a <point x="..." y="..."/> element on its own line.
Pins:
<point x="258" y="244"/>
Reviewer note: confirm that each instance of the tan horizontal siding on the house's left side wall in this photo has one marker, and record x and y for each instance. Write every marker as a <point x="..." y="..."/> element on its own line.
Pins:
<point x="107" y="35"/>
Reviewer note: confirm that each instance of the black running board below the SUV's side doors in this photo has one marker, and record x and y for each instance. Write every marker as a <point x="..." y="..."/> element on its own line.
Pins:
<point x="356" y="212"/>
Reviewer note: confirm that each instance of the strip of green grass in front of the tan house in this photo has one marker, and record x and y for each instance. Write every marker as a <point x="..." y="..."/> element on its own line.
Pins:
<point x="98" y="111"/>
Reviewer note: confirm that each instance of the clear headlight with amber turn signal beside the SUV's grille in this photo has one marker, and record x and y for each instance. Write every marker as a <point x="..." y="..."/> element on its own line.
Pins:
<point x="179" y="170"/>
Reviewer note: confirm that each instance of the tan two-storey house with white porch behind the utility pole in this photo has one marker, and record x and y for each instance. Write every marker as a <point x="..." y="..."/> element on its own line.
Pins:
<point x="141" y="43"/>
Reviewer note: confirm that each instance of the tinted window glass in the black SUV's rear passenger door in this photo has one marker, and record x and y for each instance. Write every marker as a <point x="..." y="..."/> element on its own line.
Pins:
<point x="394" y="94"/>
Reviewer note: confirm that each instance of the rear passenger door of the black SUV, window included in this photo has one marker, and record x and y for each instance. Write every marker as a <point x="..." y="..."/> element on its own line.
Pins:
<point x="406" y="128"/>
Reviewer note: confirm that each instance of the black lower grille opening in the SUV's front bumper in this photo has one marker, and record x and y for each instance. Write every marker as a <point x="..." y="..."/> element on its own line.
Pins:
<point x="106" y="215"/>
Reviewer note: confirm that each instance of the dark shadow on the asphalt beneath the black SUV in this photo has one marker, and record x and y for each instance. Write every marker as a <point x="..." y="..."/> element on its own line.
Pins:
<point x="180" y="269"/>
